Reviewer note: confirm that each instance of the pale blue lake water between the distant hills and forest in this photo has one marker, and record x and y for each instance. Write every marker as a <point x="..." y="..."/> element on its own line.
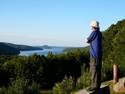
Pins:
<point x="55" y="50"/>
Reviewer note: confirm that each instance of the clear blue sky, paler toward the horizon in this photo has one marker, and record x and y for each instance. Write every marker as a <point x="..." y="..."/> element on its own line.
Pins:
<point x="55" y="22"/>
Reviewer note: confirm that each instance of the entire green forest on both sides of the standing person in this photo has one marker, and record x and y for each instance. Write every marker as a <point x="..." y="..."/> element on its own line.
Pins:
<point x="62" y="73"/>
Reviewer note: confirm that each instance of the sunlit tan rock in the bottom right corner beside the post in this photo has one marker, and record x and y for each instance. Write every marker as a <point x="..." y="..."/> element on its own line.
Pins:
<point x="119" y="87"/>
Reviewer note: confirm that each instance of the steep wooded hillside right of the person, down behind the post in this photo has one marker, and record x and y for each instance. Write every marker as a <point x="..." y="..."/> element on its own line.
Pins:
<point x="114" y="48"/>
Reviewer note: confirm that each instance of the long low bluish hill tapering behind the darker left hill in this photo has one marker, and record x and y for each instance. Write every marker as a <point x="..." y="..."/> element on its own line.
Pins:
<point x="23" y="47"/>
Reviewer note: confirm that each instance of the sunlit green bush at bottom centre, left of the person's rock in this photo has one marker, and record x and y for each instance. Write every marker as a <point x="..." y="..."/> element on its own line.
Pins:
<point x="65" y="87"/>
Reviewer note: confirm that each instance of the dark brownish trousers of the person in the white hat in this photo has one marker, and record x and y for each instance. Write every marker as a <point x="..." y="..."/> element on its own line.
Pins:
<point x="95" y="71"/>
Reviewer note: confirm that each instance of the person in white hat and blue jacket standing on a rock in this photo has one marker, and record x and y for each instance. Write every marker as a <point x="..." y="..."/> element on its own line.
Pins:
<point x="95" y="41"/>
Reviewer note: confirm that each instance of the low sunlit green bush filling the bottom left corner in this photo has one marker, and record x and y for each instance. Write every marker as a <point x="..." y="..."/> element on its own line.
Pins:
<point x="21" y="86"/>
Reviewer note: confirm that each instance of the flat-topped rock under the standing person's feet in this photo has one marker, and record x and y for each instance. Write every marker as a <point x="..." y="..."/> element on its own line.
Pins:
<point x="104" y="89"/>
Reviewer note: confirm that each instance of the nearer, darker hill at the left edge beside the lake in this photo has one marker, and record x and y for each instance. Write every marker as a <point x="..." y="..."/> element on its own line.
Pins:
<point x="7" y="50"/>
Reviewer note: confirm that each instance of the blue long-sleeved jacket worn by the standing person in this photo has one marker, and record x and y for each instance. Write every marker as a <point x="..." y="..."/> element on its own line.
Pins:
<point x="95" y="40"/>
